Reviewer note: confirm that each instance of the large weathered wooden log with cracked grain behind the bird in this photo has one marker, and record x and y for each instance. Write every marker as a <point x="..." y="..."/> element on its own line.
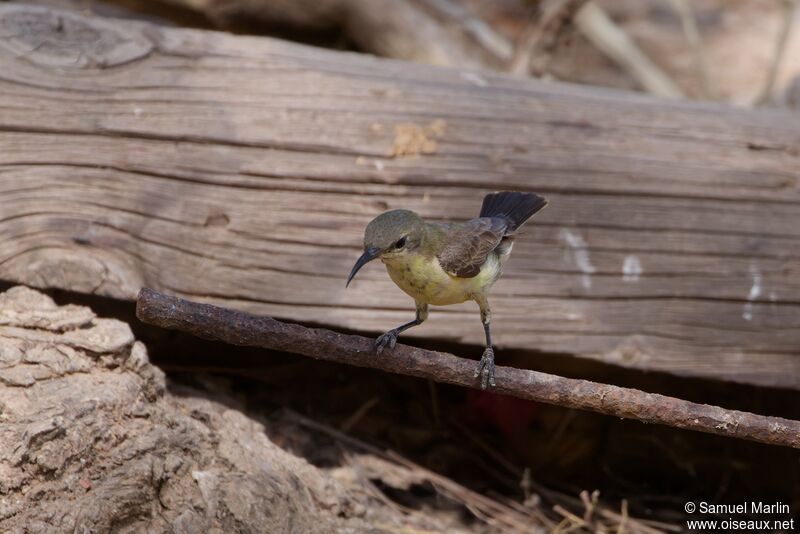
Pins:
<point x="241" y="171"/>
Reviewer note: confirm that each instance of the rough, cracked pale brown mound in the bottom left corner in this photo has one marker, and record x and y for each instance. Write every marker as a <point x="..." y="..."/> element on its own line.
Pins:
<point x="92" y="441"/>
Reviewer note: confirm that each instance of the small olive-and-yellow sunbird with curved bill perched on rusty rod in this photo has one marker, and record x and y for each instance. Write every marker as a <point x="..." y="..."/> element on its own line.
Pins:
<point x="448" y="263"/>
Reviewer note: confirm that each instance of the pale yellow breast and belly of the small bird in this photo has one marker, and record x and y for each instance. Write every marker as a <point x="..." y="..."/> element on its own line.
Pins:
<point x="425" y="281"/>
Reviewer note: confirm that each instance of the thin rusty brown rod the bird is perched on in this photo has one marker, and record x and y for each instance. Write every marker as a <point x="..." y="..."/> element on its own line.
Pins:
<point x="239" y="328"/>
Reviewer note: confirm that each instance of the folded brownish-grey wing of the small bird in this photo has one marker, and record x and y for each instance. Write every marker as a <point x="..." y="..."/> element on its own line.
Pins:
<point x="467" y="245"/>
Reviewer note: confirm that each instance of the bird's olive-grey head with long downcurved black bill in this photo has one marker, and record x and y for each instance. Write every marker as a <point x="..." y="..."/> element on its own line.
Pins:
<point x="390" y="235"/>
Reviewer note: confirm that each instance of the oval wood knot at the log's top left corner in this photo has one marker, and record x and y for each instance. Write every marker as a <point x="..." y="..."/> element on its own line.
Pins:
<point x="69" y="40"/>
